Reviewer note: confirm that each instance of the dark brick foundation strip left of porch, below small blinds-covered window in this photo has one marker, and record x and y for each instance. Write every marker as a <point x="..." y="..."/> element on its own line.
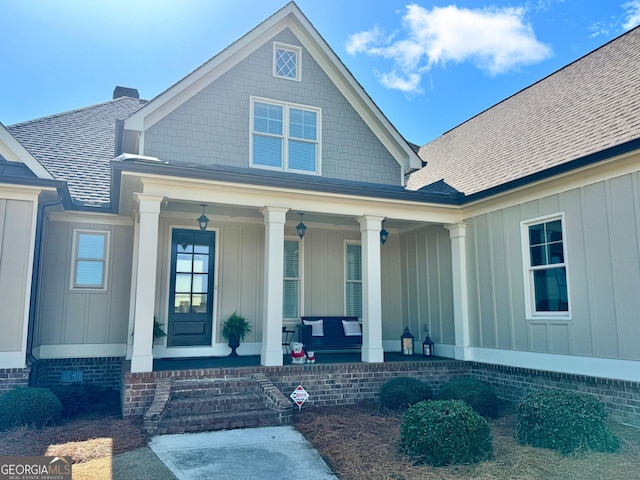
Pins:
<point x="103" y="371"/>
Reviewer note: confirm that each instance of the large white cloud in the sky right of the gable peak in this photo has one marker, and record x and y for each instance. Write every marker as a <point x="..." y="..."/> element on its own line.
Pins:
<point x="494" y="40"/>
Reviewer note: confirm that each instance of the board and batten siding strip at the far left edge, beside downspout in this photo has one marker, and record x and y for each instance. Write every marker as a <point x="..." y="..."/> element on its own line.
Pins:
<point x="15" y="247"/>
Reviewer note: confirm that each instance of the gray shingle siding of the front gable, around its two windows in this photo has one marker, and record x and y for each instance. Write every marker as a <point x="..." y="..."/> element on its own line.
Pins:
<point x="213" y="128"/>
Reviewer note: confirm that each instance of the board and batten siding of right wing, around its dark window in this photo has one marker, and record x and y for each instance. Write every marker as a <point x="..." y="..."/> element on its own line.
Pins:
<point x="602" y="227"/>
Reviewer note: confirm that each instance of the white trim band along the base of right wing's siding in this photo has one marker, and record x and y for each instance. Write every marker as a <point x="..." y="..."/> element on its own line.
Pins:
<point x="628" y="370"/>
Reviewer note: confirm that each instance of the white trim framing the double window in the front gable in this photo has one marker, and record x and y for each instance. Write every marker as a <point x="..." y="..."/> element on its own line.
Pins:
<point x="285" y="136"/>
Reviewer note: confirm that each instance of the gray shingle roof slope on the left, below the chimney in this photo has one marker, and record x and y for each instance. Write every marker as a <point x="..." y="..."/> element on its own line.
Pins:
<point x="77" y="146"/>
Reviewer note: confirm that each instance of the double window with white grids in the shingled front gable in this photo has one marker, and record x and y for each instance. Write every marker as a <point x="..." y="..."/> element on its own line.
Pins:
<point x="285" y="136"/>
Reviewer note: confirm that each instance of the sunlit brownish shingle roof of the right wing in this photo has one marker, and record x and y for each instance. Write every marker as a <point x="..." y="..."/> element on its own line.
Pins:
<point x="588" y="106"/>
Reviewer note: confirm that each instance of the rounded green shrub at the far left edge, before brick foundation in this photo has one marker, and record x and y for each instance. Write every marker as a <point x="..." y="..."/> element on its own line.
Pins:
<point x="29" y="406"/>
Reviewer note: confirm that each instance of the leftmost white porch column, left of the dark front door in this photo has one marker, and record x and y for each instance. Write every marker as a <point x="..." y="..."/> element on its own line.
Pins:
<point x="145" y="289"/>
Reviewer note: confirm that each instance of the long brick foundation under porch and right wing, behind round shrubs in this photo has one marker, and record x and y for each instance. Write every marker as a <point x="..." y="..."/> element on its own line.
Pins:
<point x="348" y="383"/>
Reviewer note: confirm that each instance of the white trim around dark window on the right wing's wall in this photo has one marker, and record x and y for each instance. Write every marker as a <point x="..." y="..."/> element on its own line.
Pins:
<point x="529" y="292"/>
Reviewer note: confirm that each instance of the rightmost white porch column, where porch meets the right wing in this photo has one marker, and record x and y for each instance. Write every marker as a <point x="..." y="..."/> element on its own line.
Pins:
<point x="457" y="234"/>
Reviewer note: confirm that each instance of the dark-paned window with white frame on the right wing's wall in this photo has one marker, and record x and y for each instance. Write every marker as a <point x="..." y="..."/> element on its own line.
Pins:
<point x="545" y="264"/>
